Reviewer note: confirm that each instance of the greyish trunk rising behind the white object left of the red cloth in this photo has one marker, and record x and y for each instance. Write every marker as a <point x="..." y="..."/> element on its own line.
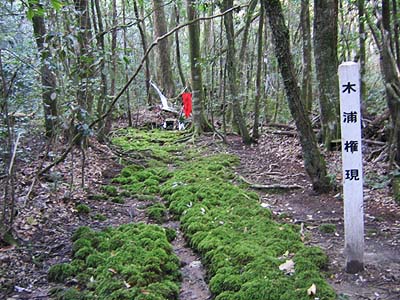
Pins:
<point x="165" y="71"/>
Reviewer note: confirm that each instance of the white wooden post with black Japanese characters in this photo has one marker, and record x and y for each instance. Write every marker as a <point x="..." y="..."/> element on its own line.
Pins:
<point x="350" y="114"/>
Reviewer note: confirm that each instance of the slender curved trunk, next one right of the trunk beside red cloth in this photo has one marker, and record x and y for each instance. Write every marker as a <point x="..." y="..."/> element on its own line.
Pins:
<point x="232" y="72"/>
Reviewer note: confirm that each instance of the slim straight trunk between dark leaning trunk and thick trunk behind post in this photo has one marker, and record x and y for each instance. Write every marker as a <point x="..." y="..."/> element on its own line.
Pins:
<point x="306" y="91"/>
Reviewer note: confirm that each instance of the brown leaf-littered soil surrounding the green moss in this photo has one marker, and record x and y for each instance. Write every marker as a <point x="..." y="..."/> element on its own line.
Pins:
<point x="45" y="221"/>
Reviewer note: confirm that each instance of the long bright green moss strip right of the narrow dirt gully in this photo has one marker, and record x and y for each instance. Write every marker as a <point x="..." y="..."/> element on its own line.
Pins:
<point x="242" y="247"/>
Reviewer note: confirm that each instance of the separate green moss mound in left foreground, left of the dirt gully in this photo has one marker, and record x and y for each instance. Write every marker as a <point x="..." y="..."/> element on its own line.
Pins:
<point x="132" y="261"/>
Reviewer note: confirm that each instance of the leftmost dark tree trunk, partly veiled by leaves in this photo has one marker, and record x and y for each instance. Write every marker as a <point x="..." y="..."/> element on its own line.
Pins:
<point x="48" y="78"/>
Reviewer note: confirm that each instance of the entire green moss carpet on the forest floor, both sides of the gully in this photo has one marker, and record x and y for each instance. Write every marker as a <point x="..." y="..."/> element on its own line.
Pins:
<point x="247" y="254"/>
